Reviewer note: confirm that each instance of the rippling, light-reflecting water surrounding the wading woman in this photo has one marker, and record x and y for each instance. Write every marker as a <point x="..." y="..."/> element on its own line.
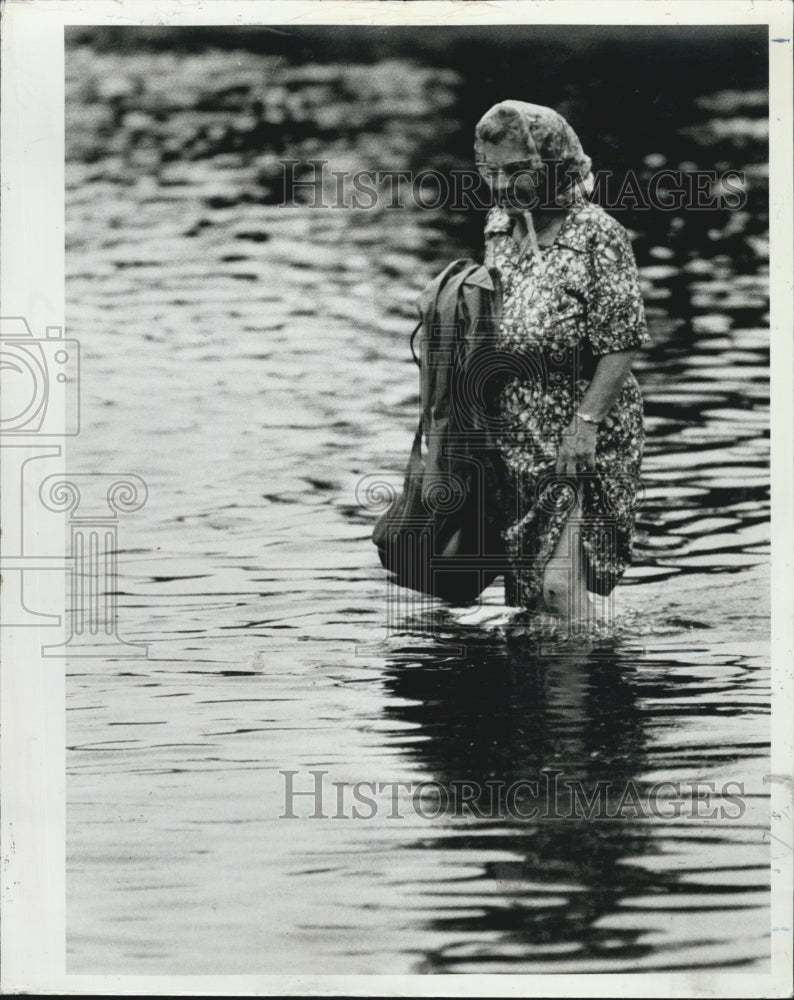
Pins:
<point x="251" y="363"/>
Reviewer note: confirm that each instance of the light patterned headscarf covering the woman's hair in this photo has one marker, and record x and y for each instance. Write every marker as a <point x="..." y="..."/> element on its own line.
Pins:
<point x="550" y="141"/>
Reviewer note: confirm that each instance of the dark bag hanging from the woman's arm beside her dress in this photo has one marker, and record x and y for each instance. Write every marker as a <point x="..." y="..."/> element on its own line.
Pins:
<point x="437" y="536"/>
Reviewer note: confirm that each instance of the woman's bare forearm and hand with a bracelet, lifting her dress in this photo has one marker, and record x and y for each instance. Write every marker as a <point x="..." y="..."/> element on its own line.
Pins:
<point x="577" y="450"/>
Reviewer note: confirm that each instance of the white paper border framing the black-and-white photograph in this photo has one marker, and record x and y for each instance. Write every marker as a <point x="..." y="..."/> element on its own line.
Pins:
<point x="32" y="285"/>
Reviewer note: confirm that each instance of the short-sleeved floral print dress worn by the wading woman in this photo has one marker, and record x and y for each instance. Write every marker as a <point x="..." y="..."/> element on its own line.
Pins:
<point x="577" y="299"/>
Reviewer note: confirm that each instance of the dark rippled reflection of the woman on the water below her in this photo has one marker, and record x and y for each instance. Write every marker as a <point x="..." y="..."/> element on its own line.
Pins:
<point x="501" y="718"/>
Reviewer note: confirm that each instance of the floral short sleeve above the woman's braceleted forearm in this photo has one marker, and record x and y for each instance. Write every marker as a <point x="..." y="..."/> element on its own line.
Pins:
<point x="616" y="314"/>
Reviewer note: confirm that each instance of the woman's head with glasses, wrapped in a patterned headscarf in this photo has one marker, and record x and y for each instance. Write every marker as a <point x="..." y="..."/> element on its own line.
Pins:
<point x="537" y="146"/>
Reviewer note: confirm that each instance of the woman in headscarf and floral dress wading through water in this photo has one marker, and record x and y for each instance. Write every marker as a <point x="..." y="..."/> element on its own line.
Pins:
<point x="568" y="405"/>
